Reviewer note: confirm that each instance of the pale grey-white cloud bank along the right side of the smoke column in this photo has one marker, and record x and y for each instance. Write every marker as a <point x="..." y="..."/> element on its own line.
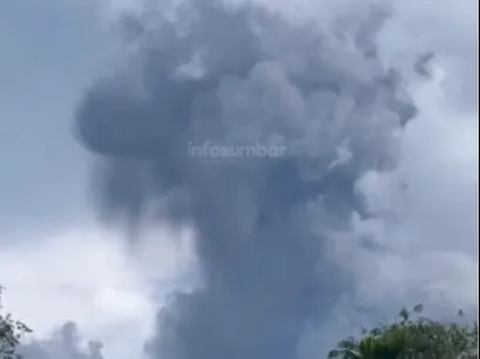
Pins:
<point x="425" y="228"/>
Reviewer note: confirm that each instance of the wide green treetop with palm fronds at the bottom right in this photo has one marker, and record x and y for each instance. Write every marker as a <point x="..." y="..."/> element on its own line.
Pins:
<point x="412" y="338"/>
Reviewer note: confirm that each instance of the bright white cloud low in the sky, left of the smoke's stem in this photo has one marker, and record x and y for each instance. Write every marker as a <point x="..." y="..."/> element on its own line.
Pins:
<point x="86" y="277"/>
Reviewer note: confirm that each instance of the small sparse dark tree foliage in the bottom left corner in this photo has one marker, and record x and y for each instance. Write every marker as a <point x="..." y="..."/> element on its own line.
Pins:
<point x="11" y="332"/>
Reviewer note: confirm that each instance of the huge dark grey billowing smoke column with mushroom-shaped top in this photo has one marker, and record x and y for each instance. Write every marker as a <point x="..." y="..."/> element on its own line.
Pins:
<point x="217" y="79"/>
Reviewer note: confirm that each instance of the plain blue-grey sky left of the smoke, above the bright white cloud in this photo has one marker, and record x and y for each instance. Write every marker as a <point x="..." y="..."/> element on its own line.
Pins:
<point x="49" y="53"/>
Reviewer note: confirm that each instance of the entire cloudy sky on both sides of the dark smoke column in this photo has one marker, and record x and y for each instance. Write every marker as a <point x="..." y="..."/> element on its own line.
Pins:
<point x="59" y="263"/>
